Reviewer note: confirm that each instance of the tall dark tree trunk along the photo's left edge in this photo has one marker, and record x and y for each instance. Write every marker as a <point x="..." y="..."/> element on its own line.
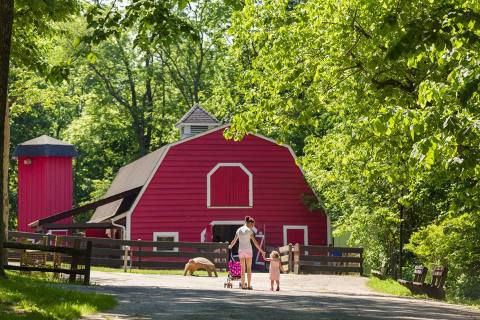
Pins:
<point x="6" y="21"/>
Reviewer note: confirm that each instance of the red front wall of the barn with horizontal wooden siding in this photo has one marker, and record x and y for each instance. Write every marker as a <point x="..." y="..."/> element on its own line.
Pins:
<point x="176" y="198"/>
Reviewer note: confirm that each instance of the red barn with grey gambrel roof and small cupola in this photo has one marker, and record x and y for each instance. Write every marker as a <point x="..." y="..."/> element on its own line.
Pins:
<point x="201" y="187"/>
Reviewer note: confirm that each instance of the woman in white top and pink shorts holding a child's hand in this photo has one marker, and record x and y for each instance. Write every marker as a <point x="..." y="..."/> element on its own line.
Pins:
<point x="245" y="235"/>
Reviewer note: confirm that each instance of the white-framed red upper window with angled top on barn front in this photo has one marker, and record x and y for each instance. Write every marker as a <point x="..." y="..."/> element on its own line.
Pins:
<point x="229" y="185"/>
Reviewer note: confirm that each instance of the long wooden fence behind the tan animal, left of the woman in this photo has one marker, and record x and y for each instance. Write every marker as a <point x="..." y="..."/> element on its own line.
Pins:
<point x="141" y="254"/>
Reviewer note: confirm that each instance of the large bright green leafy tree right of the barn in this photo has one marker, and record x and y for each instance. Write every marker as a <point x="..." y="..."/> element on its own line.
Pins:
<point x="386" y="103"/>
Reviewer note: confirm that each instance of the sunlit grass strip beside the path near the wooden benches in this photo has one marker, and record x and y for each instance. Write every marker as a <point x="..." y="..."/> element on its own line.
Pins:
<point x="392" y="287"/>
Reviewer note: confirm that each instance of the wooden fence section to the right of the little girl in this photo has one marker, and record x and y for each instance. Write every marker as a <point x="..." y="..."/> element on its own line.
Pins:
<point x="321" y="259"/>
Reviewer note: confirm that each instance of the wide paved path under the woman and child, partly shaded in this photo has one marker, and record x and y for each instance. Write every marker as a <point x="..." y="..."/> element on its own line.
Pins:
<point x="314" y="297"/>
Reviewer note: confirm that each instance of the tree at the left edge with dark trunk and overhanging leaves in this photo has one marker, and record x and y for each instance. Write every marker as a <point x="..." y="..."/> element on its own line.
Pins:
<point x="31" y="19"/>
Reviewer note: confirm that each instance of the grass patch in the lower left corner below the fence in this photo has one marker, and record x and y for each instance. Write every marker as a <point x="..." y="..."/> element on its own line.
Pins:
<point x="35" y="298"/>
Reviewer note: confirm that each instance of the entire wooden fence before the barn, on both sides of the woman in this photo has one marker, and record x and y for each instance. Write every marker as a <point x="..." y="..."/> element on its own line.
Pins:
<point x="173" y="255"/>
